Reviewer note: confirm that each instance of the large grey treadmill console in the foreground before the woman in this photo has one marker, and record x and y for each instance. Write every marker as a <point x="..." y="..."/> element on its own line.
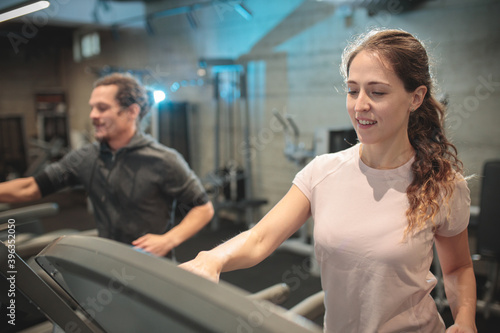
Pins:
<point x="90" y="284"/>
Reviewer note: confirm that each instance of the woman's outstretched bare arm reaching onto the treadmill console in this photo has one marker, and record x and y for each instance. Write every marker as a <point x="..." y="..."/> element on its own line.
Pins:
<point x="254" y="245"/>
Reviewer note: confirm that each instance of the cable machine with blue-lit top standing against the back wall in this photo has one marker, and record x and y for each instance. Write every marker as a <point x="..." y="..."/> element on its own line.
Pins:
<point x="231" y="179"/>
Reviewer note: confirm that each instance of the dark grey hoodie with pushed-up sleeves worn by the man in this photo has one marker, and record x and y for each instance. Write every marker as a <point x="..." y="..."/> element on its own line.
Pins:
<point x="132" y="190"/>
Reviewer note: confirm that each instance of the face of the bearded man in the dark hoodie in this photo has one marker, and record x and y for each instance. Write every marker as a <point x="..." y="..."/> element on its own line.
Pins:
<point x="110" y="120"/>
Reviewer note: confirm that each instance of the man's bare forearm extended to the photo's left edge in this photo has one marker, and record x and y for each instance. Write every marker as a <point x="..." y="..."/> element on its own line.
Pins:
<point x="19" y="190"/>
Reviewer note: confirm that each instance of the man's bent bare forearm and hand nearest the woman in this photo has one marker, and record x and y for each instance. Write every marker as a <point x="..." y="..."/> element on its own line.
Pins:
<point x="193" y="222"/>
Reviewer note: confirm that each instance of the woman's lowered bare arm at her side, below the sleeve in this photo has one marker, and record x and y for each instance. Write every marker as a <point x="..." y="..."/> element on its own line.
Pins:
<point x="459" y="280"/>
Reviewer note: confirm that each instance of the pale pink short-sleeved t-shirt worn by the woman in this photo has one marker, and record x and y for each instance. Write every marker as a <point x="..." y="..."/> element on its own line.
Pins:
<point x="374" y="280"/>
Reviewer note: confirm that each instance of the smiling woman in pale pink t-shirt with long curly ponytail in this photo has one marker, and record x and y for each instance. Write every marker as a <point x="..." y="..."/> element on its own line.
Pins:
<point x="378" y="206"/>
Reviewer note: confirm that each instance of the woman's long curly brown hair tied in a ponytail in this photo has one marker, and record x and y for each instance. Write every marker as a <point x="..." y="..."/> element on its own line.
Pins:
<point x="436" y="163"/>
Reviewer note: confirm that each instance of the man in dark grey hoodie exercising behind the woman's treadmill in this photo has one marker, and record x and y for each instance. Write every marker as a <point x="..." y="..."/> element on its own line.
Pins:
<point x="131" y="179"/>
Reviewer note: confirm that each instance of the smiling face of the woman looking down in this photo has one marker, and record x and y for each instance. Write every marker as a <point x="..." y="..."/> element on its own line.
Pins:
<point x="377" y="102"/>
